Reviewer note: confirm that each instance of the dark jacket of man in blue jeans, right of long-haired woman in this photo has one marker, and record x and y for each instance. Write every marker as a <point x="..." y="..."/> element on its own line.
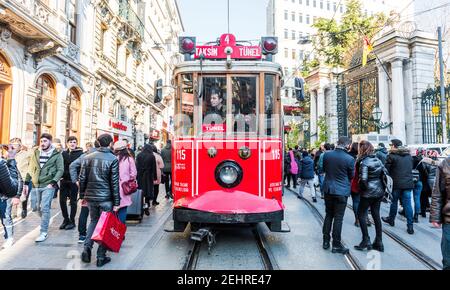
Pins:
<point x="399" y="164"/>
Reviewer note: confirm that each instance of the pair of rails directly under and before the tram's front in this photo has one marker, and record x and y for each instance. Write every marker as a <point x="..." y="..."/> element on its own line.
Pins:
<point x="267" y="259"/>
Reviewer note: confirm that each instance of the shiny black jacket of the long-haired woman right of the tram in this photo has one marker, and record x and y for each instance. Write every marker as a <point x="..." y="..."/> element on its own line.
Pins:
<point x="371" y="177"/>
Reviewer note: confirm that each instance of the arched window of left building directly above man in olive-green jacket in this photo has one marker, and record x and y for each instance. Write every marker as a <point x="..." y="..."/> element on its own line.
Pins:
<point x="45" y="104"/>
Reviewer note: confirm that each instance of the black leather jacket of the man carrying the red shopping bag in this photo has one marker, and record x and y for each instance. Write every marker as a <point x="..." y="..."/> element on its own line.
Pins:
<point x="99" y="177"/>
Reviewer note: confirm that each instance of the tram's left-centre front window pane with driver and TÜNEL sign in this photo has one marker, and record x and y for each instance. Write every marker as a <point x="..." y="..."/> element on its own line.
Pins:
<point x="214" y="96"/>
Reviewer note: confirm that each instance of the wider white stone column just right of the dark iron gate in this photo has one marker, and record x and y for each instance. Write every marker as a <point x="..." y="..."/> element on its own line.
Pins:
<point x="398" y="101"/>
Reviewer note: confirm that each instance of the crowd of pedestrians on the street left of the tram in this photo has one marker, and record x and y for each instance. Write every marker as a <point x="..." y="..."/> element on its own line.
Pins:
<point x="98" y="179"/>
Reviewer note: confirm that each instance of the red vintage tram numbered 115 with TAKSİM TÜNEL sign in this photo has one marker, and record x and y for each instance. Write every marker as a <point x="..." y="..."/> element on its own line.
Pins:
<point x="228" y="148"/>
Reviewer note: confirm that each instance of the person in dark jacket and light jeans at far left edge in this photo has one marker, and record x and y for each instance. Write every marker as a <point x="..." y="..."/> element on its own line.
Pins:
<point x="10" y="189"/>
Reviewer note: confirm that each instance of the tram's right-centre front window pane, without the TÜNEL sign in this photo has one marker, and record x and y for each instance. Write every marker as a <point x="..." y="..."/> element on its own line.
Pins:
<point x="244" y="104"/>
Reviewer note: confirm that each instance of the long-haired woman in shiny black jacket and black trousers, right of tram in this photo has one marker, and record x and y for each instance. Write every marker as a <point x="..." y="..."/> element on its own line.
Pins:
<point x="371" y="192"/>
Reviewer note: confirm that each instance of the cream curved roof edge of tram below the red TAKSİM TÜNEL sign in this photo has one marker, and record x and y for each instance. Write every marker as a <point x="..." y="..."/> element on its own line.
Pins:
<point x="241" y="66"/>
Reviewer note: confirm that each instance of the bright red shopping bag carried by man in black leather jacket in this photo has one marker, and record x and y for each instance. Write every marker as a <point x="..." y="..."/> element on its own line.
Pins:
<point x="109" y="231"/>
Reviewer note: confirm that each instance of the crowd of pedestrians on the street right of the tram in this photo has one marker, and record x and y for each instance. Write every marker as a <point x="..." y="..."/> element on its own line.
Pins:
<point x="370" y="177"/>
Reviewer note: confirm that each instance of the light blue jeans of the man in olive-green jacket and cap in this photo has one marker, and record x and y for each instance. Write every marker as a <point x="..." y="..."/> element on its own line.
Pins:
<point x="41" y="201"/>
